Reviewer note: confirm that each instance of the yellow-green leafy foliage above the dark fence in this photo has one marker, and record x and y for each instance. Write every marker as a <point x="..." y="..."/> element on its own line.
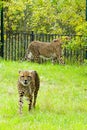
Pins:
<point x="50" y="16"/>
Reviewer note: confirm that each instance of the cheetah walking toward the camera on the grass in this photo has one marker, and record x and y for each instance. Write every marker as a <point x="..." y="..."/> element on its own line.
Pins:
<point x="28" y="86"/>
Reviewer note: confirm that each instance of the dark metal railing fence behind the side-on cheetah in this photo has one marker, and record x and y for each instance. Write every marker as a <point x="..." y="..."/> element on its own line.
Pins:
<point x="16" y="44"/>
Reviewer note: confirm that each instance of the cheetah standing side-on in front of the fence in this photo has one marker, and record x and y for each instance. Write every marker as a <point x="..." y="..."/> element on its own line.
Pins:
<point x="37" y="50"/>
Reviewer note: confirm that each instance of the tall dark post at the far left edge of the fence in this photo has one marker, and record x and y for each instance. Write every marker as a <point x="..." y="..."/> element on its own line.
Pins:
<point x="2" y="33"/>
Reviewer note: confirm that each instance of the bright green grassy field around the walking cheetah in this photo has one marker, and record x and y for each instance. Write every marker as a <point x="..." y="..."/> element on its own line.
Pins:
<point x="61" y="102"/>
